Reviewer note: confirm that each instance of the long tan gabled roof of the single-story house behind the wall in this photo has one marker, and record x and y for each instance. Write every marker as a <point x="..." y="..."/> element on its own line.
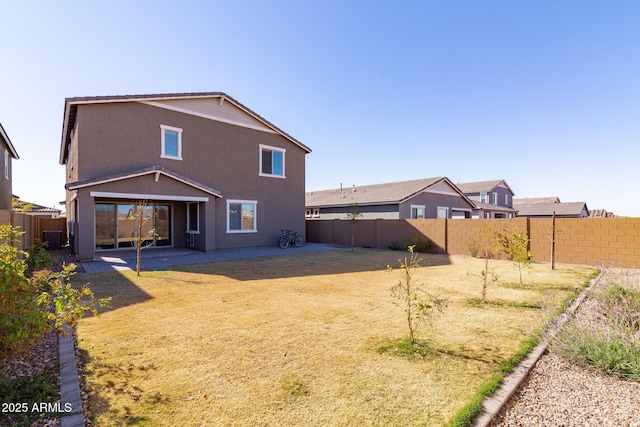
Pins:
<point x="378" y="194"/>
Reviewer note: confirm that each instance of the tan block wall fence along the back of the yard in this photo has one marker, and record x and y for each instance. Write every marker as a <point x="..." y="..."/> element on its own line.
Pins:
<point x="586" y="241"/>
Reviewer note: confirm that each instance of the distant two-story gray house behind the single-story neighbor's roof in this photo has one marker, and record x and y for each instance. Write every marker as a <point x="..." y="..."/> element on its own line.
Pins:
<point x="493" y="199"/>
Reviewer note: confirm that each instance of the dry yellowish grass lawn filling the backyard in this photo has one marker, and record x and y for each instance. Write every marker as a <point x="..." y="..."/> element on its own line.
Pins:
<point x="294" y="340"/>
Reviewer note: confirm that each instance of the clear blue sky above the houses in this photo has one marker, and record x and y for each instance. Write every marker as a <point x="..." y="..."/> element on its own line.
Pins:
<point x="543" y="94"/>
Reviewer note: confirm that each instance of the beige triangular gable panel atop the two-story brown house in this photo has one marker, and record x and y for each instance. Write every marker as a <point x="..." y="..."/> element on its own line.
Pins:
<point x="213" y="109"/>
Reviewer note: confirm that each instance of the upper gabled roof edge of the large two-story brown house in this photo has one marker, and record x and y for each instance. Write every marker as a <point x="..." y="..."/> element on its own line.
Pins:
<point x="71" y="106"/>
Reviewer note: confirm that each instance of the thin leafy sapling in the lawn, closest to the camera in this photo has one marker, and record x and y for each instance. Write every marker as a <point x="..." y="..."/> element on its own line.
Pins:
<point x="419" y="305"/>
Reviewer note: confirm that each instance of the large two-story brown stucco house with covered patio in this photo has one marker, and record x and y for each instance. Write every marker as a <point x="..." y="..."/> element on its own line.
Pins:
<point x="209" y="172"/>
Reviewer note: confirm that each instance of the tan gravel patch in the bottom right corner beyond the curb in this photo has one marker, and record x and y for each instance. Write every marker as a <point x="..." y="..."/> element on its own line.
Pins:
<point x="557" y="393"/>
